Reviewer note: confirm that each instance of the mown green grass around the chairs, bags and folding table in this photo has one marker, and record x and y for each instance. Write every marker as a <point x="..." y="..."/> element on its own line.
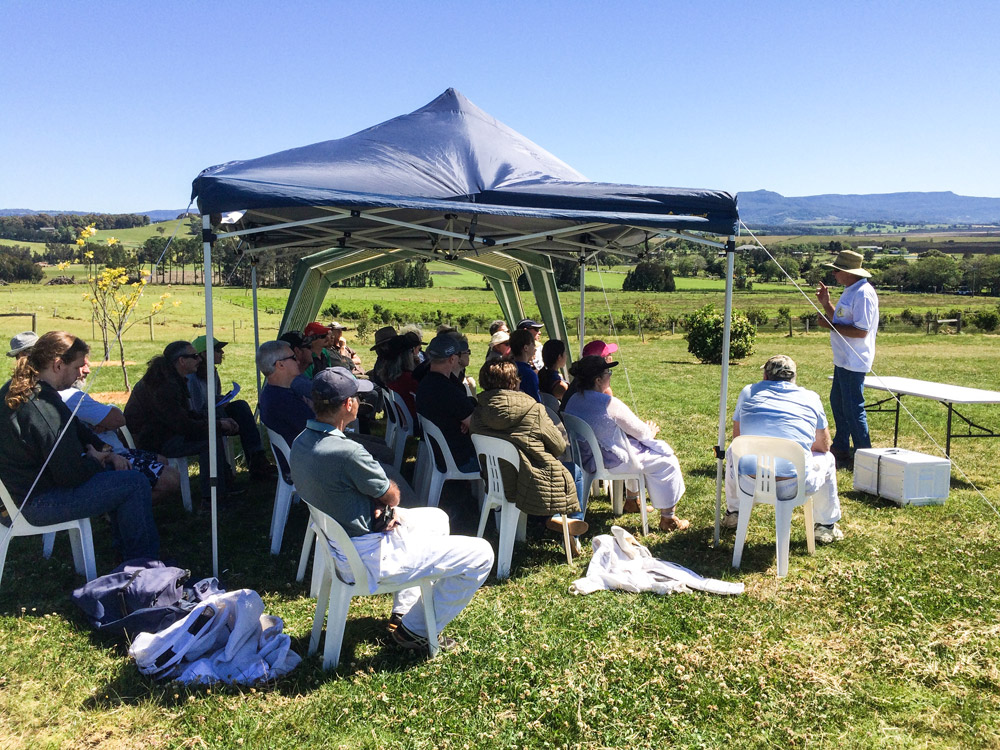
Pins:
<point x="887" y="639"/>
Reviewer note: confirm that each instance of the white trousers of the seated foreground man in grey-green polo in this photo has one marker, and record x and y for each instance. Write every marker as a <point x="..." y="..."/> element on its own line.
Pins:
<point x="420" y="546"/>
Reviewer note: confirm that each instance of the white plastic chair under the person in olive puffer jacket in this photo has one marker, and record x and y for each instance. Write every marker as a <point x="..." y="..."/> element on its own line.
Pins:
<point x="512" y="521"/>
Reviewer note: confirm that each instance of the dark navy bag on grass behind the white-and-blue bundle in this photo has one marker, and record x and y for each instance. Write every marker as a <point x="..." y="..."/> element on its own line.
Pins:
<point x="140" y="595"/>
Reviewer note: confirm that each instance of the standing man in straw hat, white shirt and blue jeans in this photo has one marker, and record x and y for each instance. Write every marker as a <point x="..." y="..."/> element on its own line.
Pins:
<point x="853" y="324"/>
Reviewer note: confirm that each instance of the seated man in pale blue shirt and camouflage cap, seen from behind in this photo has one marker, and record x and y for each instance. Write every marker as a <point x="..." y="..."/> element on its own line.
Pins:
<point x="777" y="407"/>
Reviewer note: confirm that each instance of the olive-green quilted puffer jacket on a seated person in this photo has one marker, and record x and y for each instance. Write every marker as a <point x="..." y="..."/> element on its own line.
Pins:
<point x="543" y="486"/>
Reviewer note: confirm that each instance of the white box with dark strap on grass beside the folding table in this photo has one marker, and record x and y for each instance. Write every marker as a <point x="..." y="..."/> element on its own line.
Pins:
<point x="905" y="477"/>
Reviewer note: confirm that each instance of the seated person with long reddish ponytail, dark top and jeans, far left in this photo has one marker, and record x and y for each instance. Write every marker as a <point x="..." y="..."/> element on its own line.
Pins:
<point x="53" y="466"/>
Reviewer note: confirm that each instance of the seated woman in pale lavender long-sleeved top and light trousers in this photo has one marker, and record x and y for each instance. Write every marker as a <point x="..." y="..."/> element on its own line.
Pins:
<point x="624" y="438"/>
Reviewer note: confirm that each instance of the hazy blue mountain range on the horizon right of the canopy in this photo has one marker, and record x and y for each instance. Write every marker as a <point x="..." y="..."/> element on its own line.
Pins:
<point x="763" y="207"/>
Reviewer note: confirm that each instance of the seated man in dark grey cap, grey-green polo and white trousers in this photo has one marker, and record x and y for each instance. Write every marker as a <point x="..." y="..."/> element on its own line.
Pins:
<point x="396" y="545"/>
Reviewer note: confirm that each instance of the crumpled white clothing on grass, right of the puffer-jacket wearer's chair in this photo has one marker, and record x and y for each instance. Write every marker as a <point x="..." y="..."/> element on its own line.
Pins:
<point x="620" y="563"/>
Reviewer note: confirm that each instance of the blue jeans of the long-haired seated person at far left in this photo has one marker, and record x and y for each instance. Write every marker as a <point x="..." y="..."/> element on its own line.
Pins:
<point x="125" y="495"/>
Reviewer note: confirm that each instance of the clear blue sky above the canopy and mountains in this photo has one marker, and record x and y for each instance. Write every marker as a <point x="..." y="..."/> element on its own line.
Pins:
<point x="116" y="106"/>
